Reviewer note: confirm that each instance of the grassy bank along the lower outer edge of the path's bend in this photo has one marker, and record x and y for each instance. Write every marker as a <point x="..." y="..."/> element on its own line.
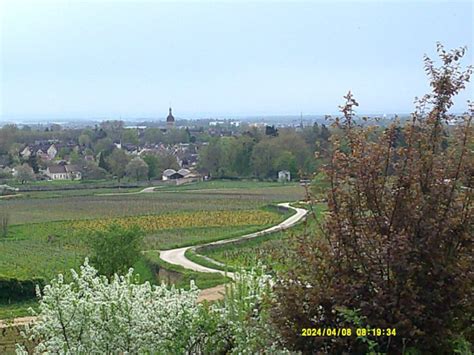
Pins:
<point x="181" y="277"/>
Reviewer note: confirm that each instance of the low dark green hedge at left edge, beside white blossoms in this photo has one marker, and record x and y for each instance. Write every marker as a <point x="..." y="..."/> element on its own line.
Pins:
<point x="12" y="289"/>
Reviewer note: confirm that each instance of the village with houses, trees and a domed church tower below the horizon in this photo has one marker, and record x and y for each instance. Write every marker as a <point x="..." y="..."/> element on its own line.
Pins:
<point x="112" y="151"/>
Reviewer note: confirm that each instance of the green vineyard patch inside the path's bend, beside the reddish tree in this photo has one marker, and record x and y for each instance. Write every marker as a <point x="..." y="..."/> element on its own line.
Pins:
<point x="257" y="250"/>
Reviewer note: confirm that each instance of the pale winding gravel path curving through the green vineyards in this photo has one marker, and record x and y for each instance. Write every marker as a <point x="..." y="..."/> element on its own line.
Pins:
<point x="178" y="257"/>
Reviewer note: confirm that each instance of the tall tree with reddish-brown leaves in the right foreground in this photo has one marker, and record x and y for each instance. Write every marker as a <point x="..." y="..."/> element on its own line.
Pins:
<point x="396" y="244"/>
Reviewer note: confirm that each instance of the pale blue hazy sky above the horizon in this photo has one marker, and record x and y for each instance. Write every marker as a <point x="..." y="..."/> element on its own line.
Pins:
<point x="110" y="59"/>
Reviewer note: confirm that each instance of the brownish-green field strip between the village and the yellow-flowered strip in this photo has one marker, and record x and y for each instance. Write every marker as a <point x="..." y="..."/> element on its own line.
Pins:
<point x="74" y="205"/>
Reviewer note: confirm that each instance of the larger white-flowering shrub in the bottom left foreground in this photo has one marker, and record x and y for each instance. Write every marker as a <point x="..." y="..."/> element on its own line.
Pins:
<point x="95" y="316"/>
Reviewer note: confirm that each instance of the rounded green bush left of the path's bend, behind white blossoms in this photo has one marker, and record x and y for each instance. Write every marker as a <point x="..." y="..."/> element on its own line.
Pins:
<point x="115" y="249"/>
